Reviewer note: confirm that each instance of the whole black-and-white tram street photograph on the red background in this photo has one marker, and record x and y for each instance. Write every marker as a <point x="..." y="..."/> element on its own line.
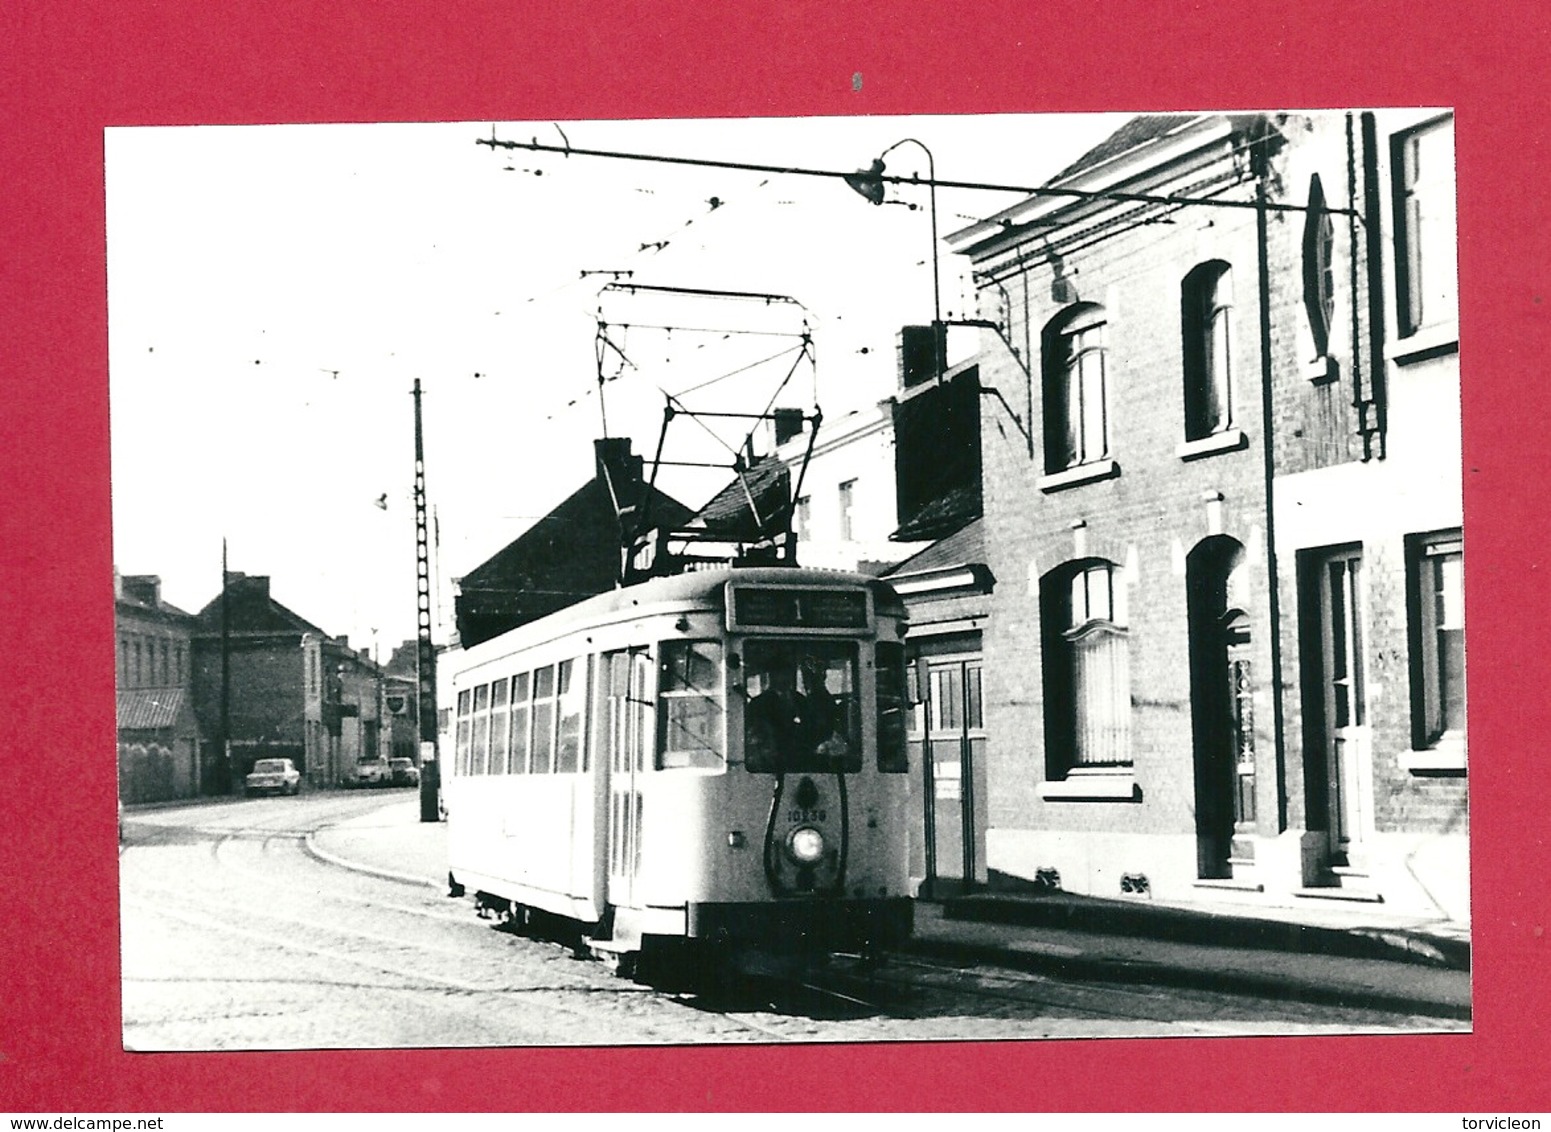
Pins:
<point x="789" y="581"/>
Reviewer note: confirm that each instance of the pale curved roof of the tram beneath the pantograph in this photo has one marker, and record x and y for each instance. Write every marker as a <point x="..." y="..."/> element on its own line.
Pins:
<point x="679" y="590"/>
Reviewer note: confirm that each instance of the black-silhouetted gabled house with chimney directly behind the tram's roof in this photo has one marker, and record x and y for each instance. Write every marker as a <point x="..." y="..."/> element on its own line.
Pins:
<point x="573" y="553"/>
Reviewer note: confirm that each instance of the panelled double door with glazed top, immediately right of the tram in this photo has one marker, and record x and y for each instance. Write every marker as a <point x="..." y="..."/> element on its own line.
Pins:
<point x="952" y="740"/>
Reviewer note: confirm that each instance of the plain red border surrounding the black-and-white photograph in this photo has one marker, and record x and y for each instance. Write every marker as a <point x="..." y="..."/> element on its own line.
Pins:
<point x="78" y="66"/>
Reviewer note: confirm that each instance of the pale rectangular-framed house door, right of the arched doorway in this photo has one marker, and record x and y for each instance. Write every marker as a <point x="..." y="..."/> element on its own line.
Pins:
<point x="1339" y="697"/>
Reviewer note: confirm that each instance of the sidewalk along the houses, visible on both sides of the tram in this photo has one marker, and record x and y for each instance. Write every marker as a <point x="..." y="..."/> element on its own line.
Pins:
<point x="1359" y="961"/>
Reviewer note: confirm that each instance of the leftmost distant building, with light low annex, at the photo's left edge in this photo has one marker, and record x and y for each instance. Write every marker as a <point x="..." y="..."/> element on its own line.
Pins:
<point x="159" y="736"/>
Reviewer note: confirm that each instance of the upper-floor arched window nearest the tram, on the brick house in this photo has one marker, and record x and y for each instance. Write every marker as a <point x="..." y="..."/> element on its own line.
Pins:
<point x="1076" y="402"/>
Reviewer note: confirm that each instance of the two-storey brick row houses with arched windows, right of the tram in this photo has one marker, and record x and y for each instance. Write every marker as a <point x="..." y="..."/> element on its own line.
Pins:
<point x="1240" y="474"/>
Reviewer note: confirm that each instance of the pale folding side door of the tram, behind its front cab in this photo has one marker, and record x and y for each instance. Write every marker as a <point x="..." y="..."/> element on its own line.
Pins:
<point x="632" y="730"/>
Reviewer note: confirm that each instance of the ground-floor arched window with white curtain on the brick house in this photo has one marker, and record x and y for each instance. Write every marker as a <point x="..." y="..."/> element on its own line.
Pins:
<point x="1088" y="668"/>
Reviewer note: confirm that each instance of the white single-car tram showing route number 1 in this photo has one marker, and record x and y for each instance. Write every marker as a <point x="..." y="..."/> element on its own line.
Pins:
<point x="714" y="758"/>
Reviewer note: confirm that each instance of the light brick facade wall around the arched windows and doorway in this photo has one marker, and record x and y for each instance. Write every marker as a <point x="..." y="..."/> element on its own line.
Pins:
<point x="1147" y="519"/>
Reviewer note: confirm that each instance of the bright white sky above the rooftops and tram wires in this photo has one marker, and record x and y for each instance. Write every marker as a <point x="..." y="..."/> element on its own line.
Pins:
<point x="277" y="291"/>
